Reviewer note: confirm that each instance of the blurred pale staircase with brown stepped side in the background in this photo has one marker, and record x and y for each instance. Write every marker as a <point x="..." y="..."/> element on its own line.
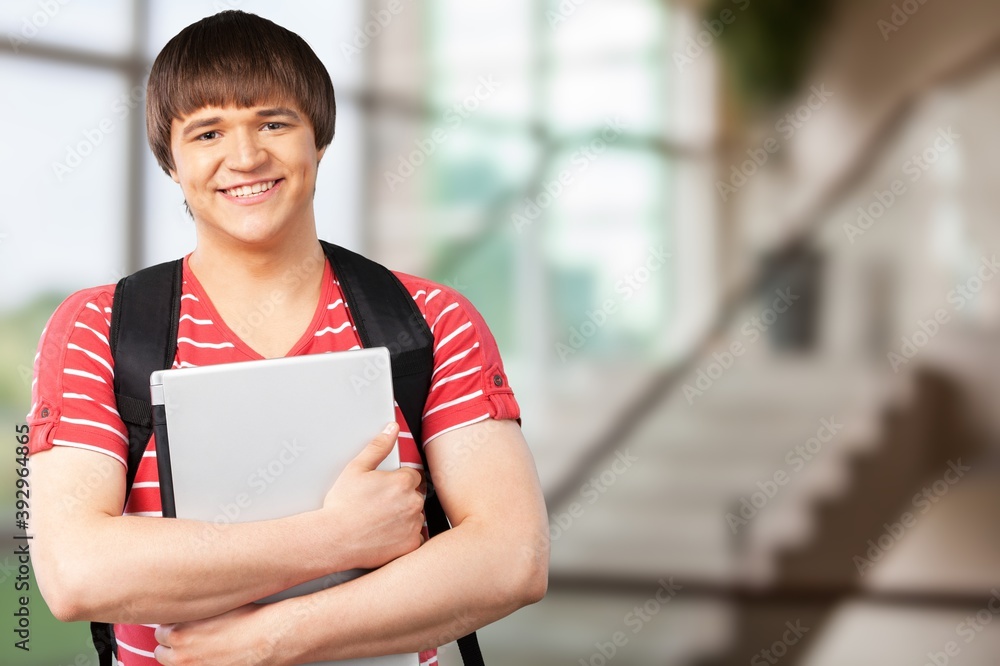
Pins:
<point x="660" y="514"/>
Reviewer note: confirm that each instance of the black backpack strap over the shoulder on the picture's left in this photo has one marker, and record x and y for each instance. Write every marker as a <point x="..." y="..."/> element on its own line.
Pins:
<point x="144" y="319"/>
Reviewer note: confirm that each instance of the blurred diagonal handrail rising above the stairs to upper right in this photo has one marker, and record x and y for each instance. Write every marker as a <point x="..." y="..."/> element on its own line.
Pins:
<point x="811" y="223"/>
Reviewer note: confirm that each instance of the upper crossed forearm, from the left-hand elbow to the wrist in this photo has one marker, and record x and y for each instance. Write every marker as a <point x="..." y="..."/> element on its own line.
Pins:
<point x="149" y="570"/>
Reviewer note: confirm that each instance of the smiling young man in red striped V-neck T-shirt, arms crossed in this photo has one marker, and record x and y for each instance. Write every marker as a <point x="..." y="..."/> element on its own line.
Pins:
<point x="240" y="112"/>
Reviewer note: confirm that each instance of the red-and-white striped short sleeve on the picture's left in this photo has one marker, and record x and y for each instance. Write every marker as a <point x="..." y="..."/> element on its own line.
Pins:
<point x="72" y="396"/>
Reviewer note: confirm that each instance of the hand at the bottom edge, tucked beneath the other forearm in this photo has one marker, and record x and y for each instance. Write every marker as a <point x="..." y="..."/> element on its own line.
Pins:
<point x="241" y="637"/>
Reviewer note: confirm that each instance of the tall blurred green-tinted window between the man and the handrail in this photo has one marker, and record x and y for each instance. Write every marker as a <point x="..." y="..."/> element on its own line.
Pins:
<point x="551" y="180"/>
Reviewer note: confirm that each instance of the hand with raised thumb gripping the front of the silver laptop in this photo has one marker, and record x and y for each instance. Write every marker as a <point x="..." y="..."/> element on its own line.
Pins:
<point x="379" y="512"/>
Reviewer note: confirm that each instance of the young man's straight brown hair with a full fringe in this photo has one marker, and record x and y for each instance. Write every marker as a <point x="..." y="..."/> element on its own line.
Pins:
<point x="239" y="59"/>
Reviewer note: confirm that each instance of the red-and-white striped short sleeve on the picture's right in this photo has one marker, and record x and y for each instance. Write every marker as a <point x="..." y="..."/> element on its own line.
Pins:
<point x="469" y="383"/>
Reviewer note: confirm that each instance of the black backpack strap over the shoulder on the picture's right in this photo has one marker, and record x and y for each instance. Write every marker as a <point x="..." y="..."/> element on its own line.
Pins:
<point x="386" y="316"/>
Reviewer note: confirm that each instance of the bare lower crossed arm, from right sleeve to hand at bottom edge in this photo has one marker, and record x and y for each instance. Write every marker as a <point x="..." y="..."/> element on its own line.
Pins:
<point x="493" y="561"/>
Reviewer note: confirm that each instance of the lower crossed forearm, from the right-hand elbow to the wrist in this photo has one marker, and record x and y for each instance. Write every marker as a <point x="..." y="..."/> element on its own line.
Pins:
<point x="457" y="582"/>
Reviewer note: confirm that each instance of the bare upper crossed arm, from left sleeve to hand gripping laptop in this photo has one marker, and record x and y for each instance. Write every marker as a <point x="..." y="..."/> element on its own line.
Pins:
<point x="169" y="570"/>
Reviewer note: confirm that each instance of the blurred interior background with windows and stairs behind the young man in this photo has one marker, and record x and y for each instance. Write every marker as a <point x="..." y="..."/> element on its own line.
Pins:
<point x="739" y="256"/>
